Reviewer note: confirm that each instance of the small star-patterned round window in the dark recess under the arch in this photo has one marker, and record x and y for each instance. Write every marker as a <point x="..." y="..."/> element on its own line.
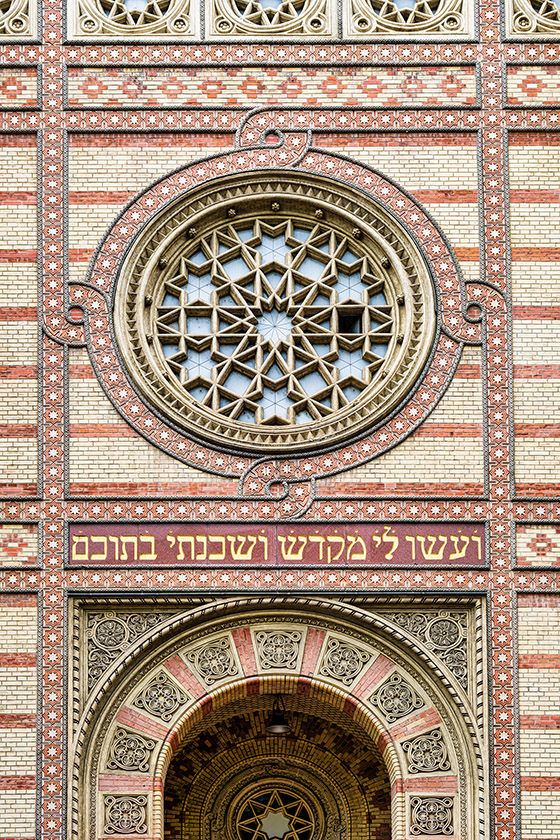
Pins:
<point x="275" y="813"/>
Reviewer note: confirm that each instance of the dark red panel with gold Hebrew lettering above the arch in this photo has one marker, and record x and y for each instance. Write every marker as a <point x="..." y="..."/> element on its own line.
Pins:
<point x="304" y="544"/>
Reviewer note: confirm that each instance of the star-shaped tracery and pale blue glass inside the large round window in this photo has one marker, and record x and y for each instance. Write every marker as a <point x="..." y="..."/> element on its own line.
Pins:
<point x="274" y="323"/>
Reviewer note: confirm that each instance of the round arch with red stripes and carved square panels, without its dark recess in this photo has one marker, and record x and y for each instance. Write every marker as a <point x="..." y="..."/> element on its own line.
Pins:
<point x="356" y="667"/>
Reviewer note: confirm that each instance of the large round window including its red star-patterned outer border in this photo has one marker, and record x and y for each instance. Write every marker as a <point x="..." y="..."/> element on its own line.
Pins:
<point x="258" y="308"/>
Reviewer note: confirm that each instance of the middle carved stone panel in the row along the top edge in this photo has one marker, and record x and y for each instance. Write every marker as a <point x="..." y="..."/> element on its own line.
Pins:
<point x="287" y="17"/>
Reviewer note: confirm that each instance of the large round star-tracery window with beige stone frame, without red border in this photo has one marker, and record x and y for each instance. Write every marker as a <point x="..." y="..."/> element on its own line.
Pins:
<point x="271" y="318"/>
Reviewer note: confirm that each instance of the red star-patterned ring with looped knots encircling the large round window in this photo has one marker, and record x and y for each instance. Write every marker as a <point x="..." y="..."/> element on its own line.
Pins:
<point x="459" y="318"/>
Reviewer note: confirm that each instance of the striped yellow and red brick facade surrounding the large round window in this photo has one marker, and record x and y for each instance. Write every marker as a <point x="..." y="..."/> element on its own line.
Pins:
<point x="454" y="136"/>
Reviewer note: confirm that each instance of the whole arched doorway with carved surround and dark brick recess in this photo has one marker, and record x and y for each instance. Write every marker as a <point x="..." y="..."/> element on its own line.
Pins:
<point x="172" y="740"/>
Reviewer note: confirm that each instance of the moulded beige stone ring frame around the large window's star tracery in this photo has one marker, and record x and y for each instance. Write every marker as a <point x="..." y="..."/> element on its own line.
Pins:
<point x="272" y="197"/>
